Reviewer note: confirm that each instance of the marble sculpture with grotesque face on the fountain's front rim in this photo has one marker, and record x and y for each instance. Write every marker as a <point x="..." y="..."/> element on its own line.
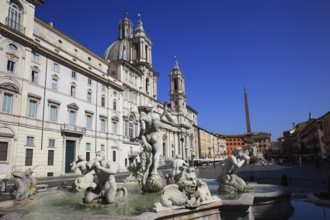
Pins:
<point x="189" y="192"/>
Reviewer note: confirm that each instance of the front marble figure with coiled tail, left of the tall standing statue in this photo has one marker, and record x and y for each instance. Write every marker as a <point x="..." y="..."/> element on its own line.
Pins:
<point x="105" y="190"/>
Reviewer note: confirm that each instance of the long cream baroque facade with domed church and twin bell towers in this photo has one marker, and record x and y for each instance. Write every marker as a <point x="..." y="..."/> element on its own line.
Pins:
<point x="59" y="100"/>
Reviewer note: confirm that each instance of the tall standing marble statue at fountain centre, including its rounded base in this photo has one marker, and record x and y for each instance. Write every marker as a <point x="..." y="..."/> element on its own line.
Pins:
<point x="150" y="139"/>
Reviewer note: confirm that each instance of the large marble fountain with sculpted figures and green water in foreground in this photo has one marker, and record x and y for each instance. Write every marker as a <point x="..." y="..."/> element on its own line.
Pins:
<point x="96" y="193"/>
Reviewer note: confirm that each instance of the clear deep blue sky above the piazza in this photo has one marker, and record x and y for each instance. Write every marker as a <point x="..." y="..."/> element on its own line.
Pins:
<point x="279" y="50"/>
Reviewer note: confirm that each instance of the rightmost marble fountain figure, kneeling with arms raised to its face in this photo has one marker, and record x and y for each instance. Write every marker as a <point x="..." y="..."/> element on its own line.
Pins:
<point x="229" y="181"/>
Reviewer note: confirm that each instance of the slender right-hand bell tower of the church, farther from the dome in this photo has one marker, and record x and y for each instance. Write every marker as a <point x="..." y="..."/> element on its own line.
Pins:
<point x="177" y="90"/>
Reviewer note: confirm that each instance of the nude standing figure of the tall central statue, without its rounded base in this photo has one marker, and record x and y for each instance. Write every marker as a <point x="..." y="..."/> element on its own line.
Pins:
<point x="150" y="136"/>
